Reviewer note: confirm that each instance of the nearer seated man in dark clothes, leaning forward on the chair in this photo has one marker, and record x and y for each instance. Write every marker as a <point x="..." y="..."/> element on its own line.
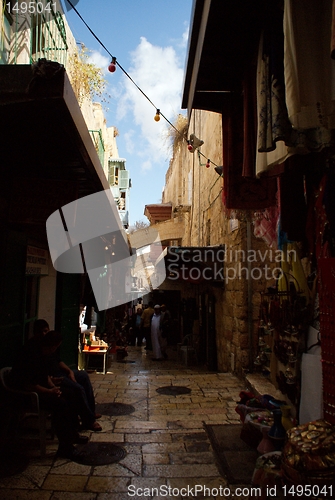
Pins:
<point x="30" y="372"/>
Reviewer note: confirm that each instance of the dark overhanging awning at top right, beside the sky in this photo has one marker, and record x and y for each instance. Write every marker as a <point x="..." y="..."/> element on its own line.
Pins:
<point x="223" y="37"/>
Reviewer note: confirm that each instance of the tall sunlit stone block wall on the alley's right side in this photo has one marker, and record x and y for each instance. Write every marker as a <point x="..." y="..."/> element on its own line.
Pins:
<point x="190" y="184"/>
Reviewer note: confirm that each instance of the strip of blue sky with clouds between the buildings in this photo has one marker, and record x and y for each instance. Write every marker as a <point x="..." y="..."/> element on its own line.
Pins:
<point x="149" y="39"/>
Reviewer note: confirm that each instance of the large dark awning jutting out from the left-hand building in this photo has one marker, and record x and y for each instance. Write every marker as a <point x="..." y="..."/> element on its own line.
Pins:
<point x="47" y="157"/>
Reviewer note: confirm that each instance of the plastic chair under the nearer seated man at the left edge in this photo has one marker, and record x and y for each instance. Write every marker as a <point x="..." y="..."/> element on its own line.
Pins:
<point x="30" y="404"/>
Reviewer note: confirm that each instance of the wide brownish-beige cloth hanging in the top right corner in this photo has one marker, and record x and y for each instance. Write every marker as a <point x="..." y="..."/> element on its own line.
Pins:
<point x="309" y="71"/>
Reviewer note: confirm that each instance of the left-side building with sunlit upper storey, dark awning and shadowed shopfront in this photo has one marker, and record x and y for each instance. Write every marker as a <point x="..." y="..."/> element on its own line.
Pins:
<point x="53" y="152"/>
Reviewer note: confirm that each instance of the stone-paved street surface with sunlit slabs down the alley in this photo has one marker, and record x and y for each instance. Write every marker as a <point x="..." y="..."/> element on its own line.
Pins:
<point x="164" y="437"/>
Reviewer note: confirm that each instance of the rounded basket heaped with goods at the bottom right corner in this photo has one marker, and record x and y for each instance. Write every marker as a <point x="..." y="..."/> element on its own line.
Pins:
<point x="309" y="454"/>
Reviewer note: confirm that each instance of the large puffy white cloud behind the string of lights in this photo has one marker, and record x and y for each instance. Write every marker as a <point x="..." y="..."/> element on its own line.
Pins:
<point x="158" y="73"/>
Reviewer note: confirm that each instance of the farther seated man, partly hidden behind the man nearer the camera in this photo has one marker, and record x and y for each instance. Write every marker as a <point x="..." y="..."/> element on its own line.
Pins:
<point x="76" y="380"/>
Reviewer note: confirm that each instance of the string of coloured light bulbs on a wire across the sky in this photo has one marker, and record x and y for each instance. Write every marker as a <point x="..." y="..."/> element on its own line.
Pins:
<point x="112" y="67"/>
